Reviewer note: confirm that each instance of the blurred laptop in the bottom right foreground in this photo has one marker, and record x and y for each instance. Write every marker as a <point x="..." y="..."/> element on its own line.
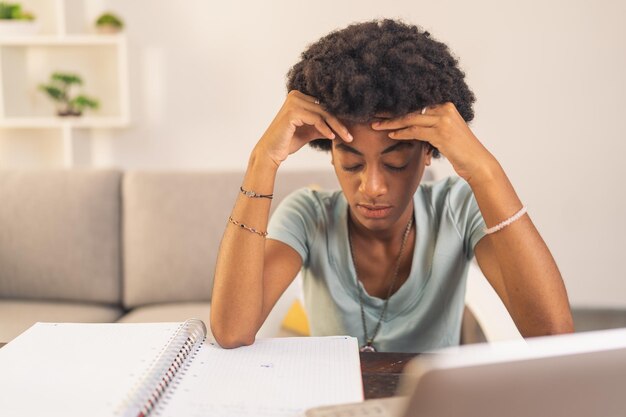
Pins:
<point x="574" y="375"/>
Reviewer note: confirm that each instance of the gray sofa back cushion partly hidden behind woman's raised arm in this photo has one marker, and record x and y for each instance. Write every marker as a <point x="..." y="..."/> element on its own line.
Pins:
<point x="173" y="225"/>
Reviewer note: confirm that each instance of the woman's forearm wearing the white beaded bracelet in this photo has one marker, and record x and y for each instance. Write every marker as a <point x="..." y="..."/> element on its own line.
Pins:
<point x="534" y="292"/>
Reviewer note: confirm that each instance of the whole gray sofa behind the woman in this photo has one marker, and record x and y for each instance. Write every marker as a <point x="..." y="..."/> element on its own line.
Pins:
<point x="107" y="246"/>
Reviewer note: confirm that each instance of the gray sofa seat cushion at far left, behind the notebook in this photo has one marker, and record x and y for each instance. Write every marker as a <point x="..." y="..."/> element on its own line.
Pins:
<point x="19" y="315"/>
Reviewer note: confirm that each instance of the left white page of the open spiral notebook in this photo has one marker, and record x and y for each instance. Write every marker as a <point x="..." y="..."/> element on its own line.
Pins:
<point x="70" y="369"/>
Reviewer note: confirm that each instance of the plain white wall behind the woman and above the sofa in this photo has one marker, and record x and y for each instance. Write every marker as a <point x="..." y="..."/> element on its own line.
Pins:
<point x="207" y="78"/>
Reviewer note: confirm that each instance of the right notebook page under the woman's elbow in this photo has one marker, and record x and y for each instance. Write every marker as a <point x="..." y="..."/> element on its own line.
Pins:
<point x="272" y="377"/>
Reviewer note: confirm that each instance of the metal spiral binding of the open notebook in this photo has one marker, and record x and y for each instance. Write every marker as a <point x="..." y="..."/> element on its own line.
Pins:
<point x="181" y="347"/>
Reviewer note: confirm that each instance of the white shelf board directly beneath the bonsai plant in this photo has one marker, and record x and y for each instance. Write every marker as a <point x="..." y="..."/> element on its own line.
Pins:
<point x="57" y="122"/>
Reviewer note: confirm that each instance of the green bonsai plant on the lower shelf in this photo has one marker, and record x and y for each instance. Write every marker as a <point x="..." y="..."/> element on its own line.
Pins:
<point x="60" y="88"/>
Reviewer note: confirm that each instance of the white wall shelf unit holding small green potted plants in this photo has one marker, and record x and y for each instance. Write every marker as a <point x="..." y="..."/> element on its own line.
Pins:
<point x="31" y="135"/>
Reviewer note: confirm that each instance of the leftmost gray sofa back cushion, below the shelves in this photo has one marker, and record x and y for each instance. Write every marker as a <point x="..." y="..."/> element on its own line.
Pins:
<point x="60" y="235"/>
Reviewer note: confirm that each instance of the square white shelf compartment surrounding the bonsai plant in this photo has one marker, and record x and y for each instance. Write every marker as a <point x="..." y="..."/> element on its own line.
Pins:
<point x="26" y="64"/>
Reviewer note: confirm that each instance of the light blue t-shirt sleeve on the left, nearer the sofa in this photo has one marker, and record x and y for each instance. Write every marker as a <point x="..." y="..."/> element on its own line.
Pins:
<point x="294" y="221"/>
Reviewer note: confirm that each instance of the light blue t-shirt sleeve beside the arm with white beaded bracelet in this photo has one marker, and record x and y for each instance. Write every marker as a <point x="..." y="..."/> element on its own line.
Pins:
<point x="467" y="216"/>
